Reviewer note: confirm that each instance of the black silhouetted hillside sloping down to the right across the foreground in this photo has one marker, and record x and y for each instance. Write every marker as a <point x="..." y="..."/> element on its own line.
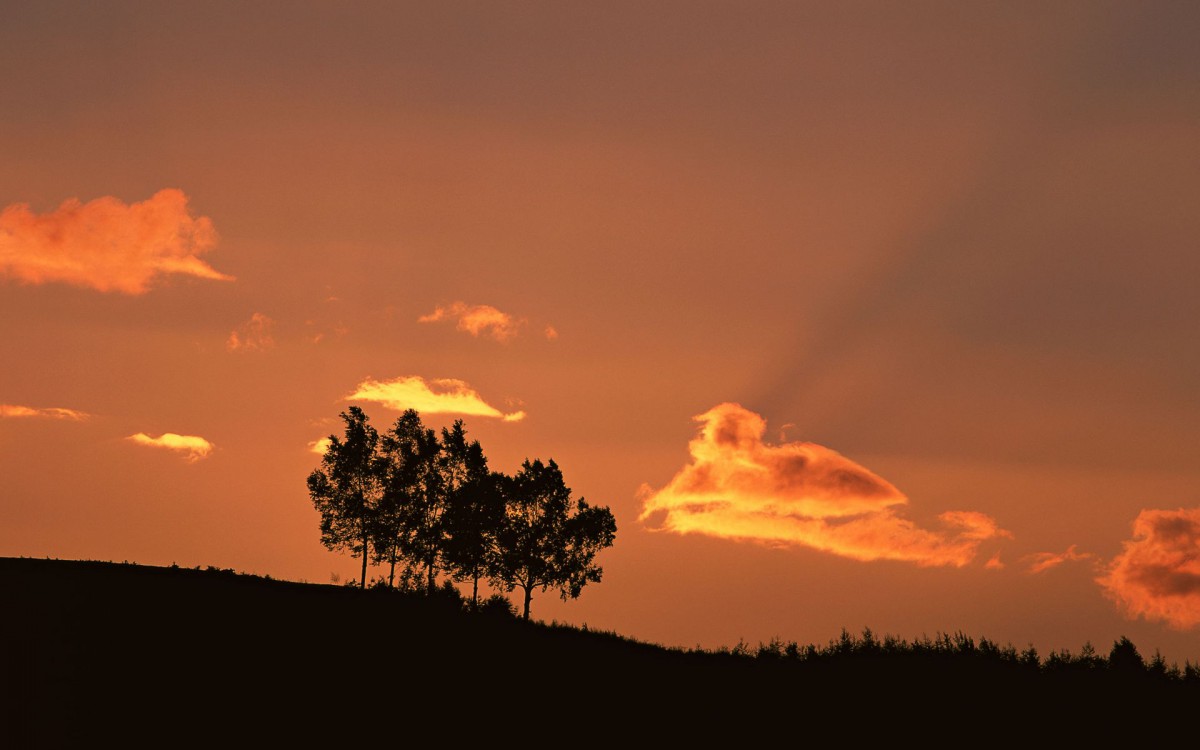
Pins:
<point x="164" y="657"/>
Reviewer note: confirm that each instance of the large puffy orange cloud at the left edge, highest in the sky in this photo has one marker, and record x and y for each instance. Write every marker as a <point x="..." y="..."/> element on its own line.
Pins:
<point x="105" y="244"/>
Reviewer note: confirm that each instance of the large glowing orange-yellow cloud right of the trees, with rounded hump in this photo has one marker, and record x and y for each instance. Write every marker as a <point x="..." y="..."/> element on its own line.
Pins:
<point x="740" y="488"/>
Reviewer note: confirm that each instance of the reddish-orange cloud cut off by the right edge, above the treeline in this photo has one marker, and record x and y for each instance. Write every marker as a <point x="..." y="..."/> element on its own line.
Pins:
<point x="1157" y="574"/>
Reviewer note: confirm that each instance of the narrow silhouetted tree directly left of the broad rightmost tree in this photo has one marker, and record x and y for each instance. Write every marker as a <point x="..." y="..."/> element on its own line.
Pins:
<point x="475" y="512"/>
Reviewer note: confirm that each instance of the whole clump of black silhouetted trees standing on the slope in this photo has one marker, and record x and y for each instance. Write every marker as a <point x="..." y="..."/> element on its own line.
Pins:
<point x="429" y="506"/>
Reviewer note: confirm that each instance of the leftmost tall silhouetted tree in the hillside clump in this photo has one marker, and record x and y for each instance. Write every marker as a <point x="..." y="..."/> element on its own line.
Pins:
<point x="347" y="488"/>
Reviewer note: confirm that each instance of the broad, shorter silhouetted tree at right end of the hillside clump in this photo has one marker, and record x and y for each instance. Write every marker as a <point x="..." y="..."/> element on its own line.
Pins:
<point x="548" y="539"/>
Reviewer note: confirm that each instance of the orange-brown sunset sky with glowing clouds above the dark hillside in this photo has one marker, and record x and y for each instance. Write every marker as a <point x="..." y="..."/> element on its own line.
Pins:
<point x="860" y="315"/>
